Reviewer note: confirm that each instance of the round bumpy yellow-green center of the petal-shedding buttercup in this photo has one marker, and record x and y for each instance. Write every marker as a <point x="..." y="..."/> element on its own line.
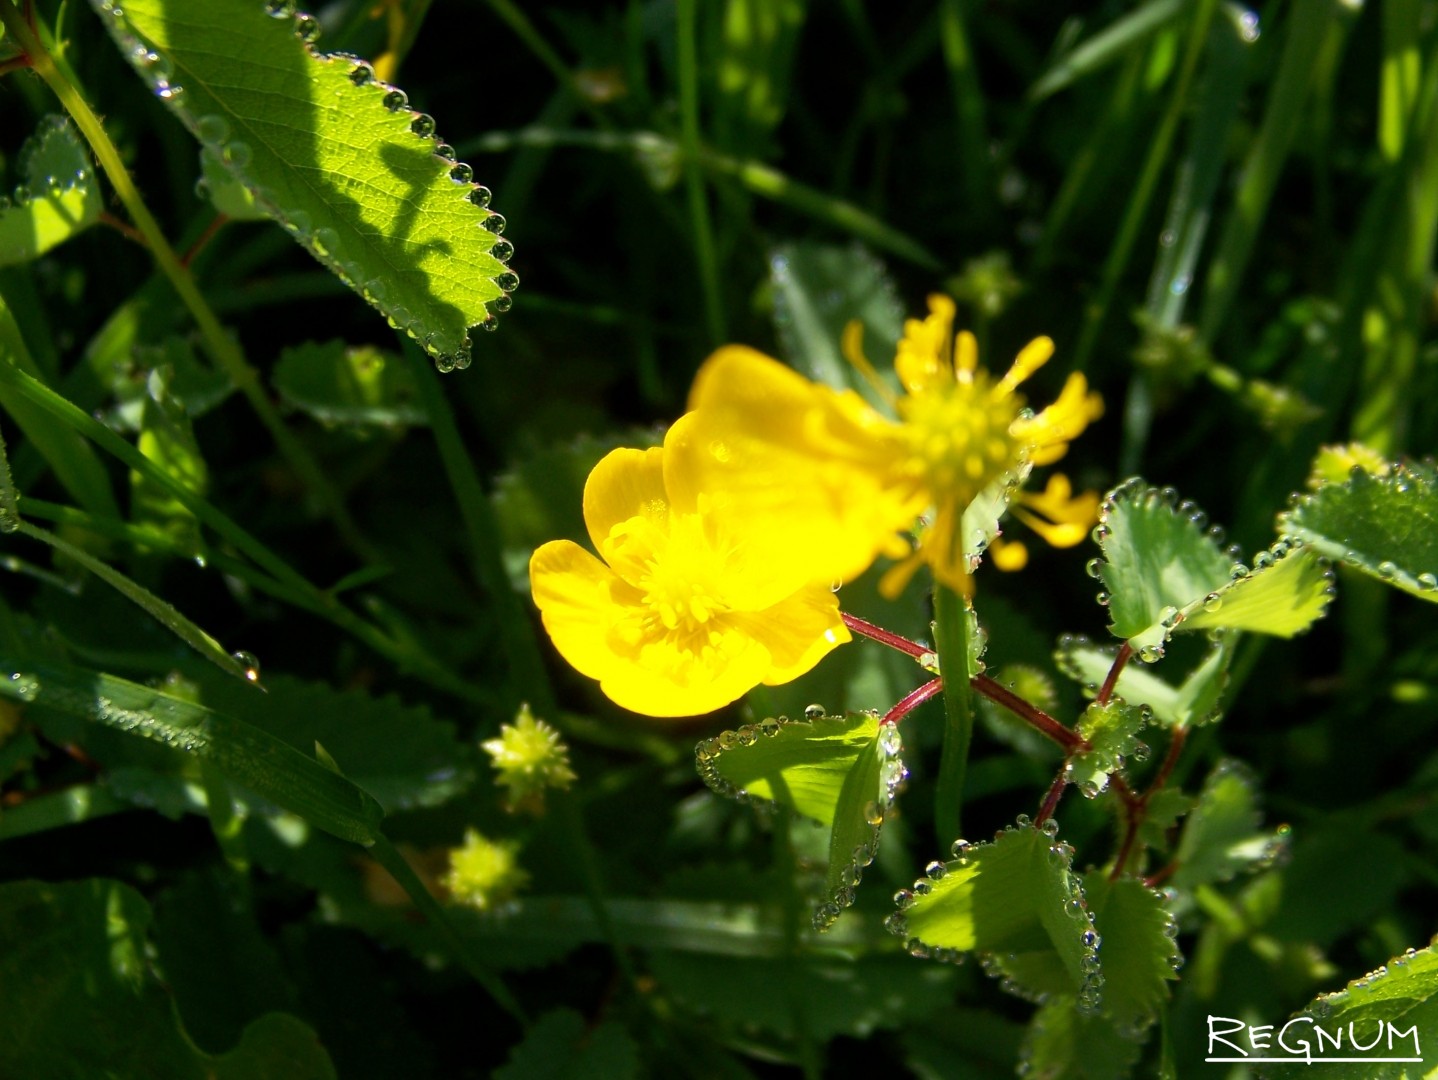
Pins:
<point x="958" y="436"/>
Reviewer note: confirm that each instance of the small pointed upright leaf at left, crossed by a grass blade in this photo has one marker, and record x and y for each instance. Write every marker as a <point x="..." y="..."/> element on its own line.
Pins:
<point x="168" y="439"/>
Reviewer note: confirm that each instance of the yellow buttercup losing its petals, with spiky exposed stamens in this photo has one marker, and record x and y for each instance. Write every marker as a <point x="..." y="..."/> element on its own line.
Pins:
<point x="797" y="458"/>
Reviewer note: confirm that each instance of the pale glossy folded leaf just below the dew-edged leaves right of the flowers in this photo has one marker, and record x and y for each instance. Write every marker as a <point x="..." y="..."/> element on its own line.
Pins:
<point x="1194" y="703"/>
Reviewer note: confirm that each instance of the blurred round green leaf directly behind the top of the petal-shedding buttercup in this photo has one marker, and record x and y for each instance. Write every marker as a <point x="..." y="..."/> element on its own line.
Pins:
<point x="819" y="290"/>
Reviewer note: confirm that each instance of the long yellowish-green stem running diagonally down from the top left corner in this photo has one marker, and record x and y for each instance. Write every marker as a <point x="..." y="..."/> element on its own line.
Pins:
<point x="218" y="343"/>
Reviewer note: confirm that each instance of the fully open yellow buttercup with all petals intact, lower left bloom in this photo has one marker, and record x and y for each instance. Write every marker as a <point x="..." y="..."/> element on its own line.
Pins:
<point x="691" y="606"/>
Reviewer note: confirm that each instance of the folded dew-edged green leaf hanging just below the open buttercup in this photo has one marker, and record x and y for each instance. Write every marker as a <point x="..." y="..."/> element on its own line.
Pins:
<point x="842" y="772"/>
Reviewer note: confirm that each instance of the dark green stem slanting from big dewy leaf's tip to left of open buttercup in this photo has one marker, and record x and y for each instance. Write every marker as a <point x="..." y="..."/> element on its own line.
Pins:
<point x="517" y="631"/>
